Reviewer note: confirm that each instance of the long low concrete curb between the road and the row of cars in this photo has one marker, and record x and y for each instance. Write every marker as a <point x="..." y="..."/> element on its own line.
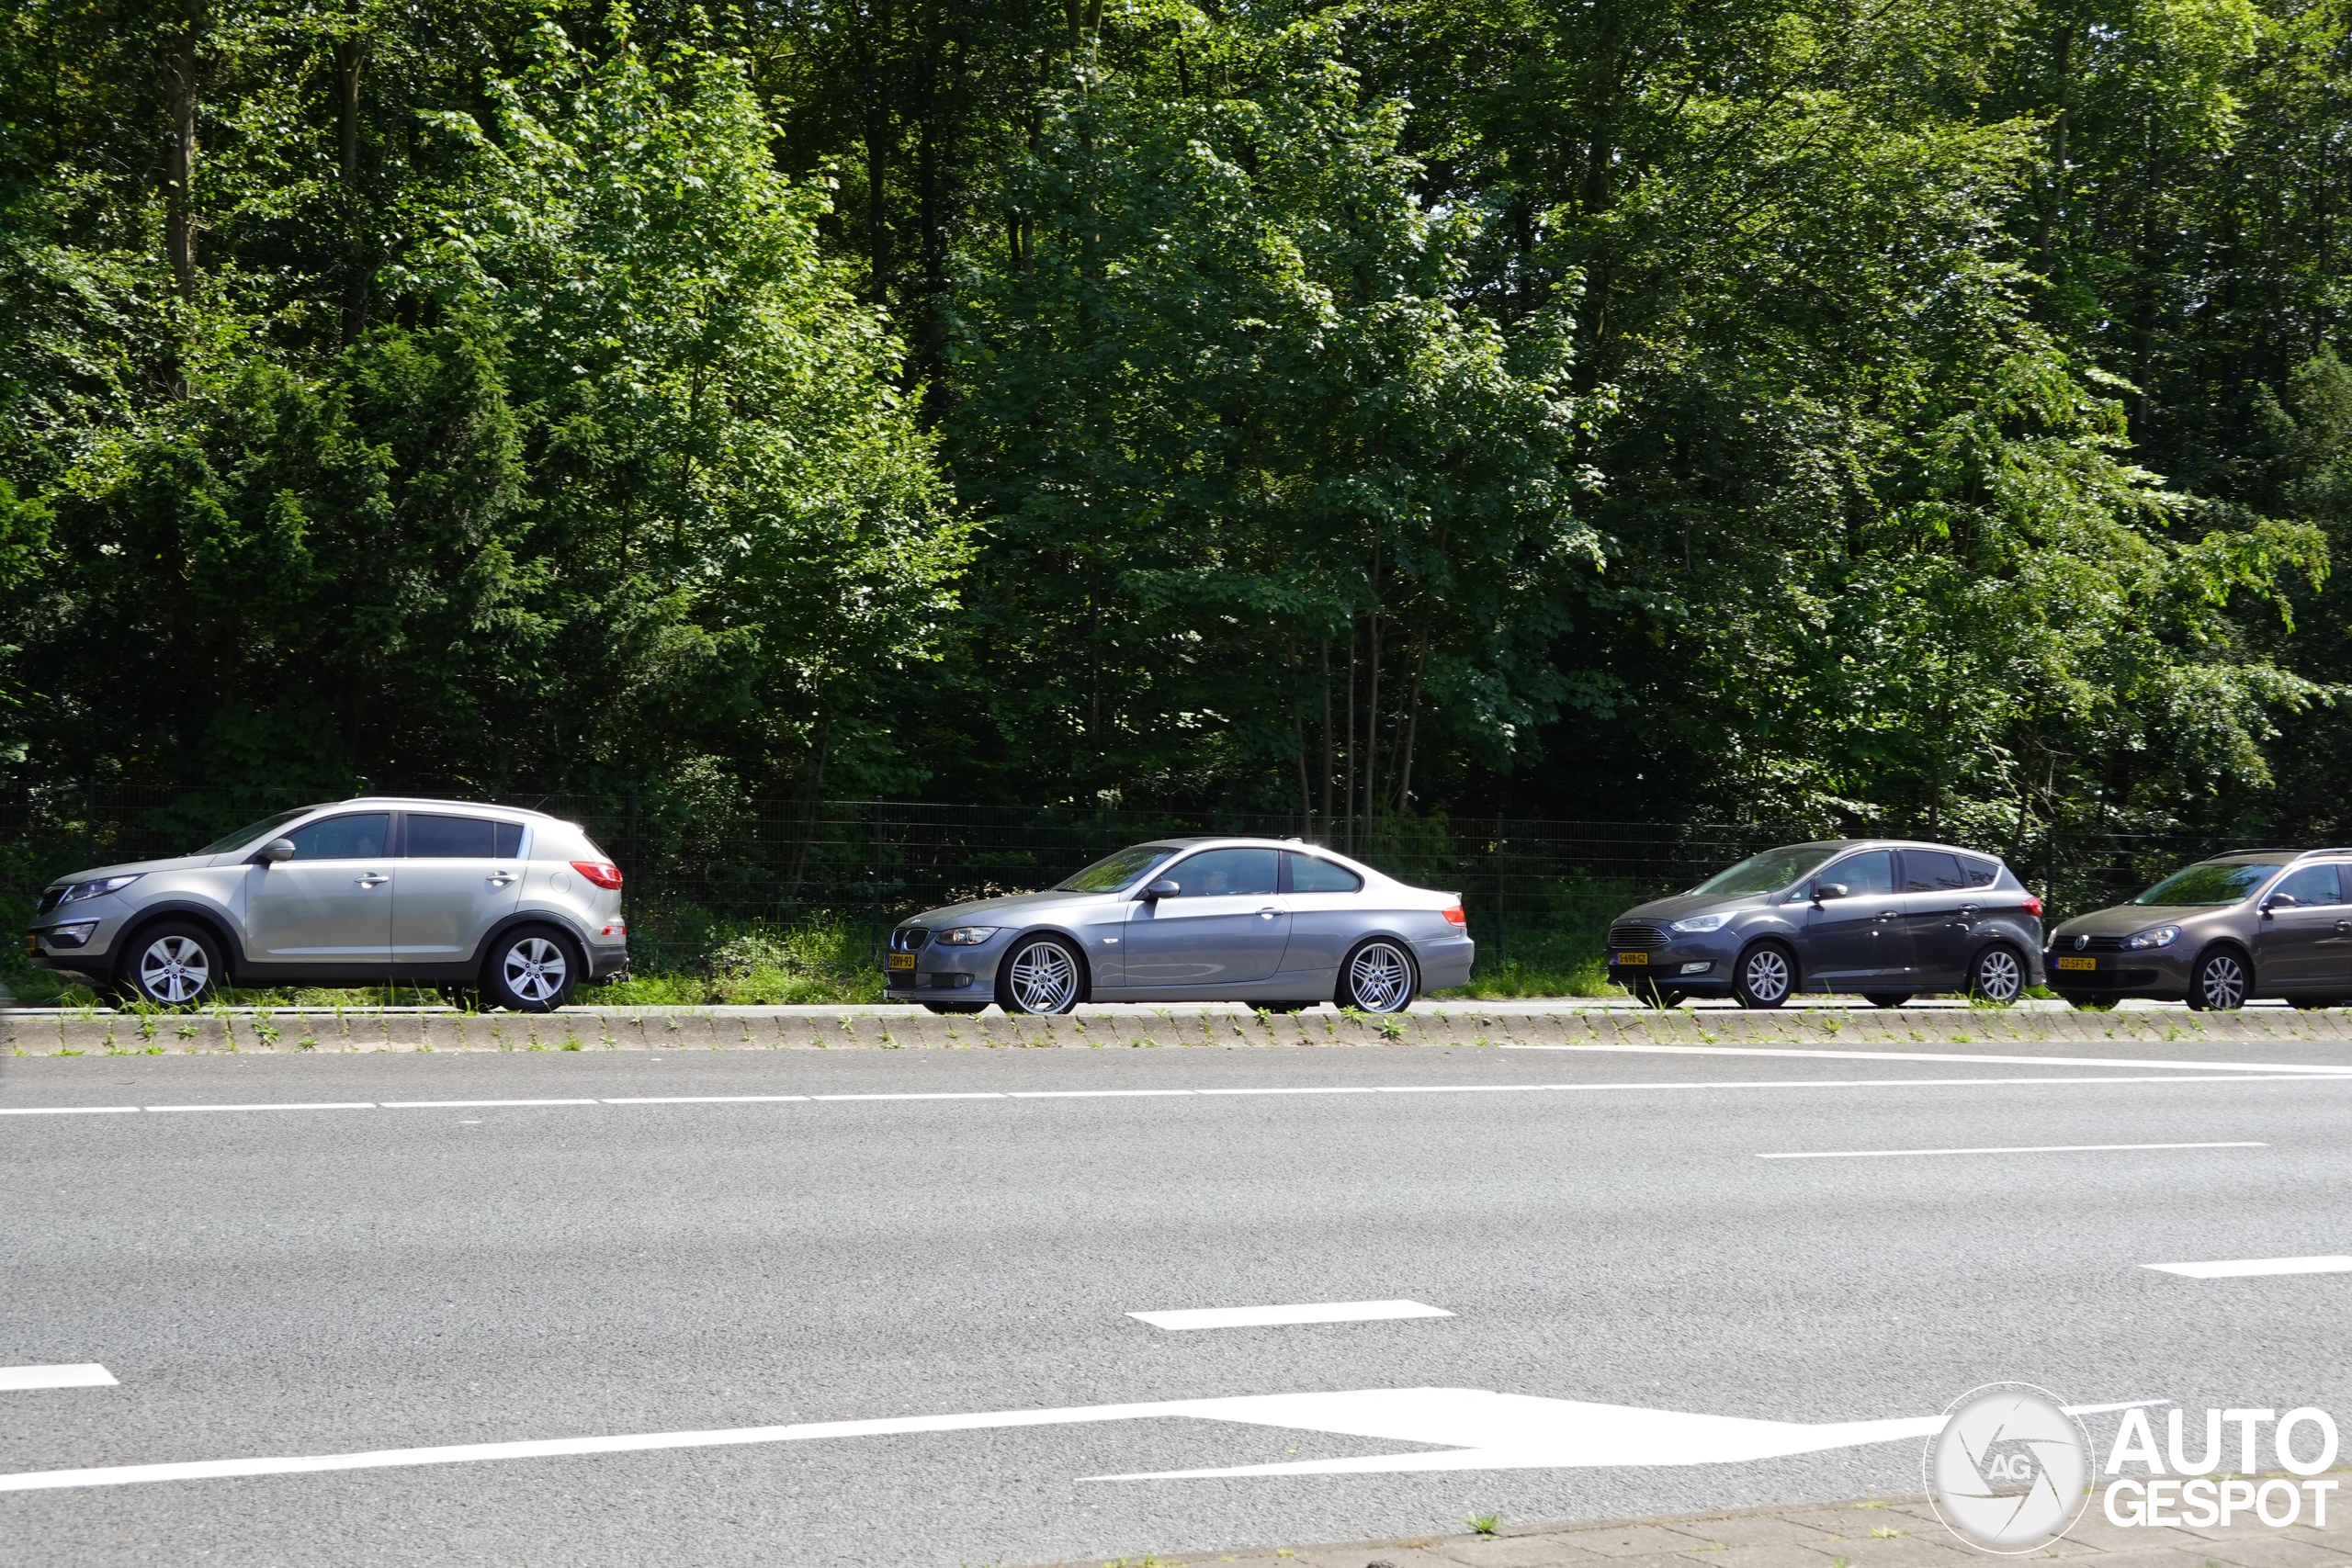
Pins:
<point x="1142" y="1028"/>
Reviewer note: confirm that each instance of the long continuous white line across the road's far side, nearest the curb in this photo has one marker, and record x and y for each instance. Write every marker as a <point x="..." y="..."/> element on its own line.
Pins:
<point x="1318" y="1090"/>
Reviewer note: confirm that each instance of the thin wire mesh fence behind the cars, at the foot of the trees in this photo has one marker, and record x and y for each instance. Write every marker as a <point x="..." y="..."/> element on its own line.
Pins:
<point x="1539" y="892"/>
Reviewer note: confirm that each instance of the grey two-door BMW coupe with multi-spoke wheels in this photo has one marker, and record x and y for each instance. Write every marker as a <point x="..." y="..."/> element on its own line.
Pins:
<point x="1276" y="923"/>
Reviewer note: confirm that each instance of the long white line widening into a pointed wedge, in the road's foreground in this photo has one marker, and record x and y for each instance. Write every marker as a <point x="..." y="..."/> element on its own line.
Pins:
<point x="1469" y="1428"/>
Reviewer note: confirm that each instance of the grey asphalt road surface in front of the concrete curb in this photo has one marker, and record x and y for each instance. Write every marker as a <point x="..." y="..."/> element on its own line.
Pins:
<point x="1601" y="1226"/>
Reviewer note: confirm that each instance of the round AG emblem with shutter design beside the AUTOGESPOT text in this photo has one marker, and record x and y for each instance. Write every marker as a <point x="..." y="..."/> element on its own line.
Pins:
<point x="2010" y="1473"/>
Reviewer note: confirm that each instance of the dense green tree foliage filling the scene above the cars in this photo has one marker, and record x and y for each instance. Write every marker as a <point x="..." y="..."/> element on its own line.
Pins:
<point x="1779" y="410"/>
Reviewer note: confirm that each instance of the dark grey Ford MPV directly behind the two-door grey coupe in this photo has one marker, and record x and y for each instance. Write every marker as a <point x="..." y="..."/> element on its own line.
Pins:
<point x="1883" y="918"/>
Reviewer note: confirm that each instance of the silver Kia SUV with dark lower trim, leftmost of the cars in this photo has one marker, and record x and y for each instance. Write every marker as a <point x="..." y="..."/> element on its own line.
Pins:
<point x="481" y="902"/>
